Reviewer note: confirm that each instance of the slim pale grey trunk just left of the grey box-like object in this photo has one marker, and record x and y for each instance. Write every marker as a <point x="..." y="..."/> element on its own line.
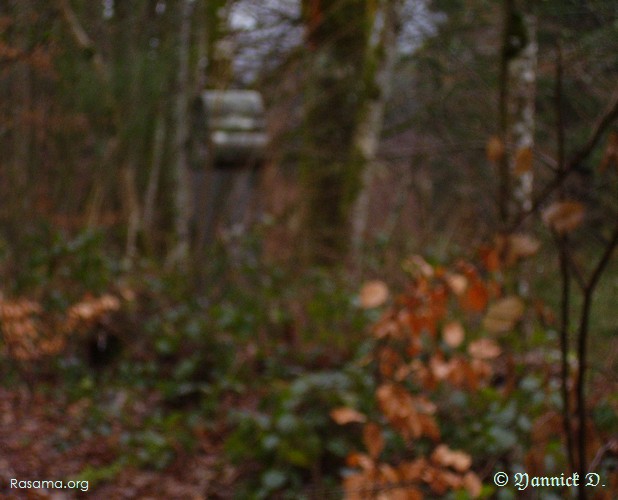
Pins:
<point x="179" y="254"/>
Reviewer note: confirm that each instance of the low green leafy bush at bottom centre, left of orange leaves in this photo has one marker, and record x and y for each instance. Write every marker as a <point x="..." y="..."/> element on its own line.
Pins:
<point x="293" y="438"/>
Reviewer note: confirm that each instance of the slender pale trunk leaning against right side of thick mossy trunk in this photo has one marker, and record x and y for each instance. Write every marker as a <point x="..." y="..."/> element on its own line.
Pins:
<point x="379" y="64"/>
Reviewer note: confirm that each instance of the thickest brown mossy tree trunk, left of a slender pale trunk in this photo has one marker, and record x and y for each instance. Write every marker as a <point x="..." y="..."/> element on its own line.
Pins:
<point x="336" y="37"/>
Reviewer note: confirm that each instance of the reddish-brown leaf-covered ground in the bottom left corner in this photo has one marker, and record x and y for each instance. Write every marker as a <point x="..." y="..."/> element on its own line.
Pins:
<point x="42" y="438"/>
